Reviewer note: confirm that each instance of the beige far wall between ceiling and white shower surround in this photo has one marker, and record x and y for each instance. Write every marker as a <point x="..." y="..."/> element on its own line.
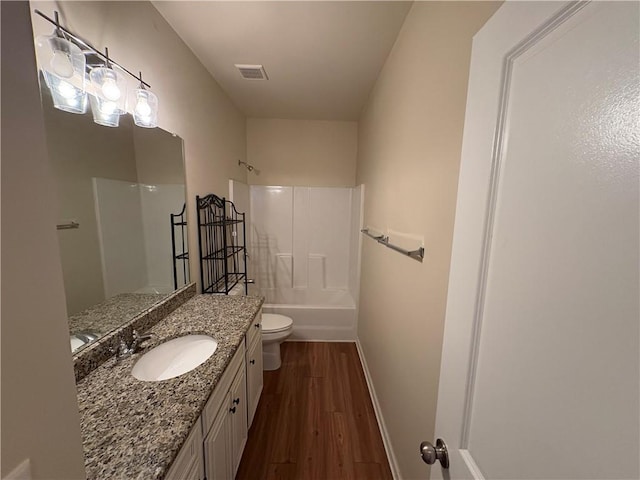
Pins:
<point x="302" y="152"/>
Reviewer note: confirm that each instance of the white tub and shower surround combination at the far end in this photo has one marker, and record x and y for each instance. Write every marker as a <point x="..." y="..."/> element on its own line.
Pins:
<point x="304" y="246"/>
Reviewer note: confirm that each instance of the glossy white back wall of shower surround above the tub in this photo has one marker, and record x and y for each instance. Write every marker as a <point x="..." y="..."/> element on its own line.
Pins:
<point x="301" y="238"/>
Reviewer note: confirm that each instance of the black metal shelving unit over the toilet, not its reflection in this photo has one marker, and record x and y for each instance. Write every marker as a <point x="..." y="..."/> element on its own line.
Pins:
<point x="222" y="241"/>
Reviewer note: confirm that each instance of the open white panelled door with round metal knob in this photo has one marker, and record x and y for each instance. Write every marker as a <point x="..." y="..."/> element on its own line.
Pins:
<point x="540" y="372"/>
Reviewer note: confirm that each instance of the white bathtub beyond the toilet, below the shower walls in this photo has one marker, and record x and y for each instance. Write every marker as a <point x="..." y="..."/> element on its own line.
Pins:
<point x="318" y="315"/>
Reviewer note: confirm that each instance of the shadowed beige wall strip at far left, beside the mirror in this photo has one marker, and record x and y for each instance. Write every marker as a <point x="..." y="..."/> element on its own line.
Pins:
<point x="39" y="411"/>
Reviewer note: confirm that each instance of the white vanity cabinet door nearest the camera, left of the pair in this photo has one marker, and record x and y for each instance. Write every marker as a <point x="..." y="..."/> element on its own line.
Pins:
<point x="217" y="446"/>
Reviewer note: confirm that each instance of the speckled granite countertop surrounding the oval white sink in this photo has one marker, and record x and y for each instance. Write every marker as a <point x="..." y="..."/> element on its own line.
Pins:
<point x="133" y="429"/>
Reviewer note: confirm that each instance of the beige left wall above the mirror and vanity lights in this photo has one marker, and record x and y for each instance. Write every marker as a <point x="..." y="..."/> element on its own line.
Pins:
<point x="192" y="104"/>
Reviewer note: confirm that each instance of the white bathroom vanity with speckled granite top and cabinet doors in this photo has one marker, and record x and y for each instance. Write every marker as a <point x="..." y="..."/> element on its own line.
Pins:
<point x="187" y="427"/>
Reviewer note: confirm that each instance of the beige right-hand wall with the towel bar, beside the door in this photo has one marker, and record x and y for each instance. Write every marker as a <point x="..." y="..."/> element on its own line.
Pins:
<point x="410" y="137"/>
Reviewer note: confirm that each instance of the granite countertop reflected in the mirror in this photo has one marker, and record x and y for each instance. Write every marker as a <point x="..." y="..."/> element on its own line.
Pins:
<point x="113" y="312"/>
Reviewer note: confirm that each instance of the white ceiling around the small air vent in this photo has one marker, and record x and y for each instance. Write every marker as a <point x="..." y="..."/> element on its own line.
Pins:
<point x="322" y="57"/>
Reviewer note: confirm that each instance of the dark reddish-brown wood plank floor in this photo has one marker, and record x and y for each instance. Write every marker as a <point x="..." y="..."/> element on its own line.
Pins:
<point x="315" y="419"/>
